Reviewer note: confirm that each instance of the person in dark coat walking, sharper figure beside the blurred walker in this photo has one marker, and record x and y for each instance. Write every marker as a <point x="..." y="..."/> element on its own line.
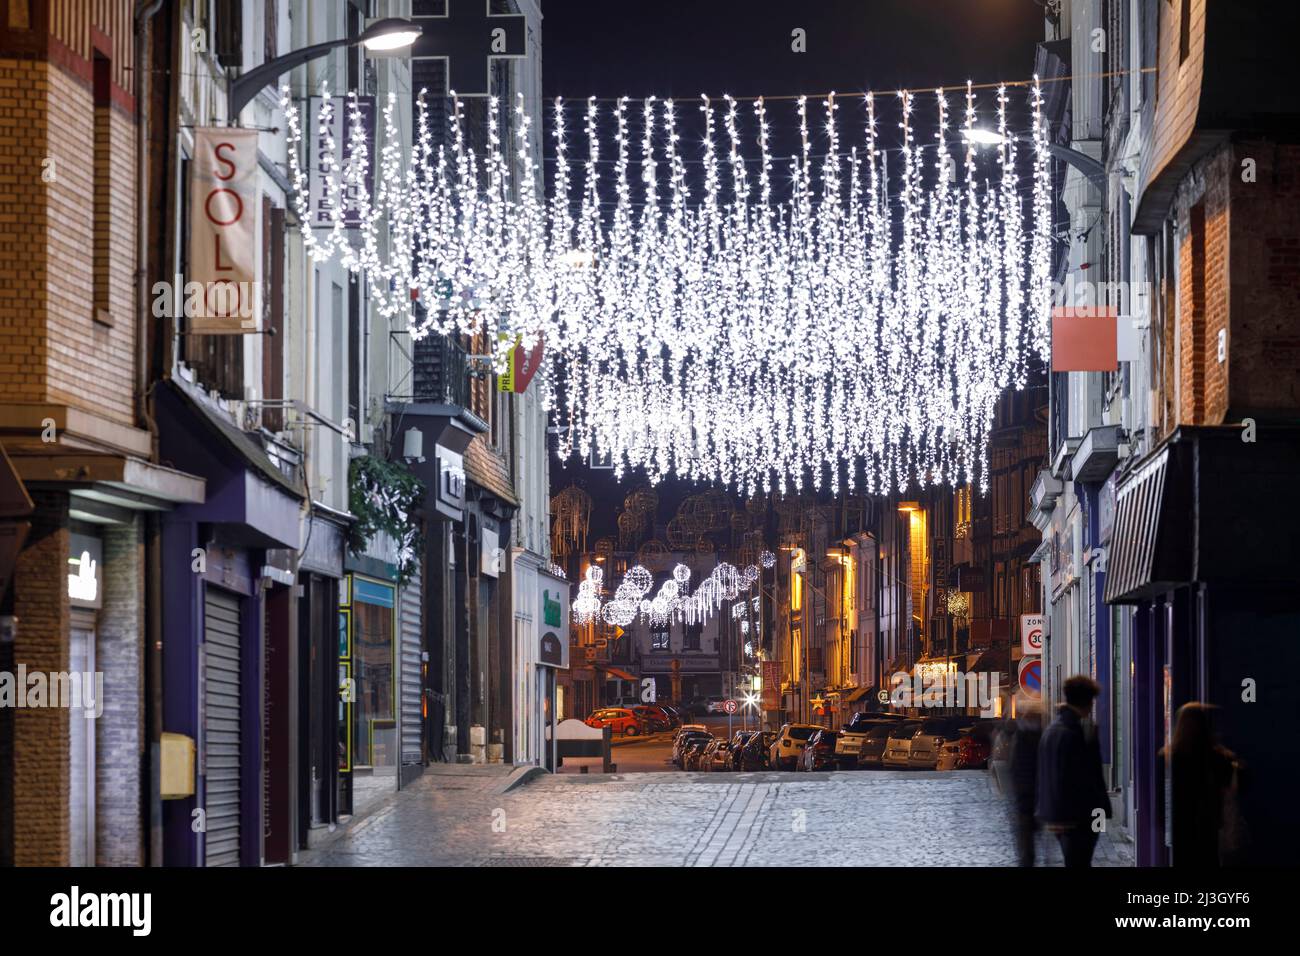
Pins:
<point x="1072" y="788"/>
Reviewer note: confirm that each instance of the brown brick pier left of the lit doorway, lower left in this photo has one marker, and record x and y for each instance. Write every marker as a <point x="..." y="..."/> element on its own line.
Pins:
<point x="41" y="734"/>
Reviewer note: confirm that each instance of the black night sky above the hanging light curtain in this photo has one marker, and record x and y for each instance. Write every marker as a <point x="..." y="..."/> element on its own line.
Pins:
<point x="743" y="47"/>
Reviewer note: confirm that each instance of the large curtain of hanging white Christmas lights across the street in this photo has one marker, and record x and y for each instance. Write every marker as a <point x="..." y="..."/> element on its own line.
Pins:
<point x="860" y="328"/>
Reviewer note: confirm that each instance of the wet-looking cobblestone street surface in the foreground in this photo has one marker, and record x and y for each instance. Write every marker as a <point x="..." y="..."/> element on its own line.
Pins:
<point x="456" y="816"/>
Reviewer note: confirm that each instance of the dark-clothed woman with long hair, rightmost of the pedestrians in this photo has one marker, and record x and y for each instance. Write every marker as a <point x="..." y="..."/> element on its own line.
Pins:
<point x="1203" y="773"/>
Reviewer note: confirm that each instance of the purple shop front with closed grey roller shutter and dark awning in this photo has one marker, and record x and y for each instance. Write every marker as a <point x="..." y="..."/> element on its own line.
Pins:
<point x="229" y="631"/>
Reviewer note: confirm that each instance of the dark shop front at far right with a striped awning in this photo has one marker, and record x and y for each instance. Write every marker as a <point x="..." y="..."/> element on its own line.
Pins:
<point x="1214" y="620"/>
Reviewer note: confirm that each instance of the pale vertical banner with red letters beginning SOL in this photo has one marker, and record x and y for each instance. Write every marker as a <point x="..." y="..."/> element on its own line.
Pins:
<point x="223" y="295"/>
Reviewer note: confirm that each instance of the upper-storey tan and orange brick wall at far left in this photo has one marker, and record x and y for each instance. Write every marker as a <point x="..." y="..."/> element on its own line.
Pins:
<point x="57" y="352"/>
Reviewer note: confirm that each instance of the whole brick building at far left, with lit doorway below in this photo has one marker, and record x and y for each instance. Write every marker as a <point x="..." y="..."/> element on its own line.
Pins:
<point x="72" y="422"/>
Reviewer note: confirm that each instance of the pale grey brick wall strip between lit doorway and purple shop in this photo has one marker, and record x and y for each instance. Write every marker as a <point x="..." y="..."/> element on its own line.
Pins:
<point x="120" y="743"/>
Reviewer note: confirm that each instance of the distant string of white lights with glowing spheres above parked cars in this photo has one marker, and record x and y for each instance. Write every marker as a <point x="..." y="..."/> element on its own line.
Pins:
<point x="674" y="602"/>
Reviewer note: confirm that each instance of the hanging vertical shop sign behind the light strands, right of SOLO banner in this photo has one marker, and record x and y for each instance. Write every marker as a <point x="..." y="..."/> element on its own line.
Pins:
<point x="335" y="141"/>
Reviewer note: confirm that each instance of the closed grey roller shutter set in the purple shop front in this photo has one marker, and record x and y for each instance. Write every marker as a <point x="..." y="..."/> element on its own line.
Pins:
<point x="222" y="726"/>
